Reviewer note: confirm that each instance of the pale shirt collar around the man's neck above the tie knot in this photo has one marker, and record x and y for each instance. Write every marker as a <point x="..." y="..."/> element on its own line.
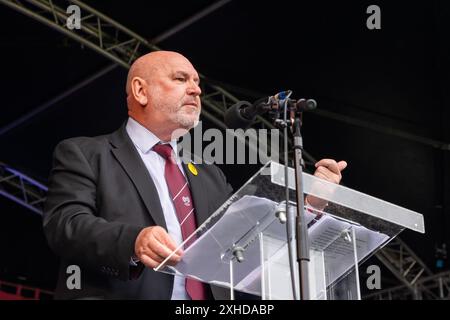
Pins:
<point x="143" y="138"/>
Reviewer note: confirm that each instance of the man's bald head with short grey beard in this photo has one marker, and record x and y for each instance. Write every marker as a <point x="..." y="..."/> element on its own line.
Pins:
<point x="163" y="93"/>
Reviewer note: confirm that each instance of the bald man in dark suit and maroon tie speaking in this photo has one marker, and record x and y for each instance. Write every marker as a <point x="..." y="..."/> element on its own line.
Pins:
<point x="119" y="204"/>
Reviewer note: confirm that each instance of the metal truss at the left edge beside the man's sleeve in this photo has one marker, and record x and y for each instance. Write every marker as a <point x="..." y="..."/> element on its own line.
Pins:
<point x="22" y="189"/>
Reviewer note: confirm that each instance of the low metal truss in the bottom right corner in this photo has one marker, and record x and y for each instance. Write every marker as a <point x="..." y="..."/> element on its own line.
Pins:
<point x="435" y="287"/>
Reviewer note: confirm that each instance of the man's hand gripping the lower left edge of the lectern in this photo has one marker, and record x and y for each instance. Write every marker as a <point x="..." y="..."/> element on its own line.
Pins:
<point x="153" y="245"/>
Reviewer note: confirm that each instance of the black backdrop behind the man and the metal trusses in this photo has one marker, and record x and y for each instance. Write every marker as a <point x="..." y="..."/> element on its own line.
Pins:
<point x="396" y="78"/>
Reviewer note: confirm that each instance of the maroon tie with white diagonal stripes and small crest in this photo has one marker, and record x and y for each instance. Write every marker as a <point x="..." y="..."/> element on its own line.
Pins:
<point x="182" y="200"/>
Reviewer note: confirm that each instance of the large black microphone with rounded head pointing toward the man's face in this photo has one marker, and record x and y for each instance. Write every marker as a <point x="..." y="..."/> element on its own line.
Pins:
<point x="243" y="113"/>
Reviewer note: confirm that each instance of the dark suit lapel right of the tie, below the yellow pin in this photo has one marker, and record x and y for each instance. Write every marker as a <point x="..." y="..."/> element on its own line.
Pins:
<point x="199" y="194"/>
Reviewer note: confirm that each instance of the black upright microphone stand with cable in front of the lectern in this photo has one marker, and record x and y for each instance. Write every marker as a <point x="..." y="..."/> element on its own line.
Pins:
<point x="301" y="230"/>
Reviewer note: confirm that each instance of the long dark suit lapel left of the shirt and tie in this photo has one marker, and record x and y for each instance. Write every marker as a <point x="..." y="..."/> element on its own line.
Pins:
<point x="128" y="157"/>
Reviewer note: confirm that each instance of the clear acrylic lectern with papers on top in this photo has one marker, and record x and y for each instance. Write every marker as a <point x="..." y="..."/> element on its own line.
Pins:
<point x="244" y="245"/>
